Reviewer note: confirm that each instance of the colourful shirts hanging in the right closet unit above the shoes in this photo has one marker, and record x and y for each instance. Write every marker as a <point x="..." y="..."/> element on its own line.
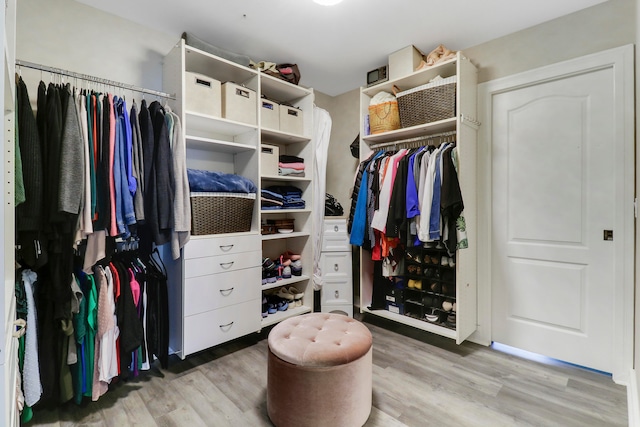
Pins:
<point x="399" y="202"/>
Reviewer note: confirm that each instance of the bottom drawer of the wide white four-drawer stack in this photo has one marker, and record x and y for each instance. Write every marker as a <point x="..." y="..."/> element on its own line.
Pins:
<point x="215" y="327"/>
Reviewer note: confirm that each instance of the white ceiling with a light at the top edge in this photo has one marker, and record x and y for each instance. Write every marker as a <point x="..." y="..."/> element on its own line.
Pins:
<point x="335" y="46"/>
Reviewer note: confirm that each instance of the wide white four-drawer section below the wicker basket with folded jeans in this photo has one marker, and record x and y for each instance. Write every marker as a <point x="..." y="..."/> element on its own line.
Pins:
<point x="214" y="292"/>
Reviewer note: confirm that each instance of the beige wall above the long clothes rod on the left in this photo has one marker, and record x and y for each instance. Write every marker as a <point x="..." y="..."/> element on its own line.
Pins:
<point x="72" y="36"/>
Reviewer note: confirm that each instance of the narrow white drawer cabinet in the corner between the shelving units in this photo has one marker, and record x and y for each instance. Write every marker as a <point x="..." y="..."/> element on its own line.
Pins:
<point x="336" y="267"/>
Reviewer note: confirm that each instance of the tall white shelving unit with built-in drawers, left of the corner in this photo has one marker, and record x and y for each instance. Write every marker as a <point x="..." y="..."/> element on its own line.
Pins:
<point x="215" y="287"/>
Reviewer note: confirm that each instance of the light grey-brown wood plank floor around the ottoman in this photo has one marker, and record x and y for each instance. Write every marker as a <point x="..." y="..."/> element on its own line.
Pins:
<point x="419" y="379"/>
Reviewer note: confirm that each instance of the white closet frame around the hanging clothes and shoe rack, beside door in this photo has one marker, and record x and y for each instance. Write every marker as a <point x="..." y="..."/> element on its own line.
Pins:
<point x="465" y="125"/>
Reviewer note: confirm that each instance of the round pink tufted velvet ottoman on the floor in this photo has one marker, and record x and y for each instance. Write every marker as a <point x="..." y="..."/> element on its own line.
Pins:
<point x="319" y="372"/>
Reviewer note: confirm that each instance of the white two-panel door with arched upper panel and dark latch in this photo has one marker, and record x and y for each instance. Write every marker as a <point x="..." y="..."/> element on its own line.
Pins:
<point x="561" y="225"/>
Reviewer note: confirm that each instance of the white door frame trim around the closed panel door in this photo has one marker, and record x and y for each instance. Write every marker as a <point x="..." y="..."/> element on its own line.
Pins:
<point x="621" y="59"/>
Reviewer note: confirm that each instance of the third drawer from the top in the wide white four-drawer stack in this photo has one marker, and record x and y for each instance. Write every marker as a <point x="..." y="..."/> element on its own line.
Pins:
<point x="214" y="291"/>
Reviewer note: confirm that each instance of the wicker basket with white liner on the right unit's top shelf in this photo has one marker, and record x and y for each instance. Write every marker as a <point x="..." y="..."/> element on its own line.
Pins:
<point x="428" y="103"/>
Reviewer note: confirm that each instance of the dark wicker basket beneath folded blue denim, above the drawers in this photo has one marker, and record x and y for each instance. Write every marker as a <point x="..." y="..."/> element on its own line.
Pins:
<point x="215" y="213"/>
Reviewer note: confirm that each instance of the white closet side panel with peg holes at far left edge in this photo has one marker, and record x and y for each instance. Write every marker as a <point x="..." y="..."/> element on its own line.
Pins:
<point x="8" y="344"/>
